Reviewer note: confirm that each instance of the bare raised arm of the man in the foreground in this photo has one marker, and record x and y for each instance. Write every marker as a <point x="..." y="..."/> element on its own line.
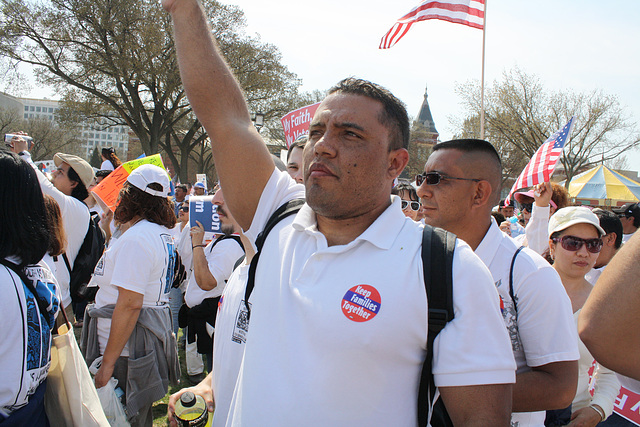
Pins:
<point x="241" y="157"/>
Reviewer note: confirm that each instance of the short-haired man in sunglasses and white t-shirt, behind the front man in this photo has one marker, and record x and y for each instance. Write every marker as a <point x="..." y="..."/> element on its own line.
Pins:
<point x="460" y="185"/>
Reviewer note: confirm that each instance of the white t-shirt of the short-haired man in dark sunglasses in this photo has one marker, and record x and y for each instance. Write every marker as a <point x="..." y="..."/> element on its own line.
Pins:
<point x="545" y="331"/>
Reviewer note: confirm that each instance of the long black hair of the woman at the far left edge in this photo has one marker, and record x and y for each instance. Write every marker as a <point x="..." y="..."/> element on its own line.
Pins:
<point x="23" y="218"/>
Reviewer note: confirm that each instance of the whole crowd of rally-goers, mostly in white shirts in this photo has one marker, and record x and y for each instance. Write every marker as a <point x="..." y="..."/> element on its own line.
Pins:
<point x="308" y="307"/>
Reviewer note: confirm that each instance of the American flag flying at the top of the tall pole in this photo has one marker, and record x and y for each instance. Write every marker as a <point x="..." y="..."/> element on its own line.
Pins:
<point x="465" y="12"/>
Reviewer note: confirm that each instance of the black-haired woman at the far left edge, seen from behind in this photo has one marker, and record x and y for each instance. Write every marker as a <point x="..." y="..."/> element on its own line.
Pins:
<point x="29" y="303"/>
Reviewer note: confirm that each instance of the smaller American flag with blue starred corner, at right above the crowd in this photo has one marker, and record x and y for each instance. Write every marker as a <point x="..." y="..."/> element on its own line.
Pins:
<point x="541" y="166"/>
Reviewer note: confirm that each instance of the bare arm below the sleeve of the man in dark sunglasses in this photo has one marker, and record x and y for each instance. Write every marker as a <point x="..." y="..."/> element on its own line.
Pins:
<point x="540" y="391"/>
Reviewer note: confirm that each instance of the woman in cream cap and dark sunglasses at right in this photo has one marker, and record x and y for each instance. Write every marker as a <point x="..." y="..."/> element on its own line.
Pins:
<point x="575" y="239"/>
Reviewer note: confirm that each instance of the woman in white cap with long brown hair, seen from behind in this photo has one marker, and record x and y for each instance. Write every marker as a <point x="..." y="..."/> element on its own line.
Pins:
<point x="136" y="271"/>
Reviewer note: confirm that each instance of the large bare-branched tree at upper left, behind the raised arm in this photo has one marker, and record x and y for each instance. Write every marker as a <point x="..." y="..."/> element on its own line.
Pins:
<point x="119" y="56"/>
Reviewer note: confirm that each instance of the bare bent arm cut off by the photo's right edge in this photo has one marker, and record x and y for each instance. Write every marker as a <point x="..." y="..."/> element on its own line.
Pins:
<point x="609" y="319"/>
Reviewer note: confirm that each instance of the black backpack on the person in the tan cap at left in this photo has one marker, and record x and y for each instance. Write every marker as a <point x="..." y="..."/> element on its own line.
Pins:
<point x="88" y="256"/>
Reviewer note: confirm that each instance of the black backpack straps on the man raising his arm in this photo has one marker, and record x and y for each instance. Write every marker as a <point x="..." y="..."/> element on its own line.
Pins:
<point x="437" y="249"/>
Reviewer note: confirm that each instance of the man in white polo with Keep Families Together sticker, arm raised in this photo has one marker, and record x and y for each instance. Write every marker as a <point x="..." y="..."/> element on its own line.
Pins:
<point x="338" y="324"/>
